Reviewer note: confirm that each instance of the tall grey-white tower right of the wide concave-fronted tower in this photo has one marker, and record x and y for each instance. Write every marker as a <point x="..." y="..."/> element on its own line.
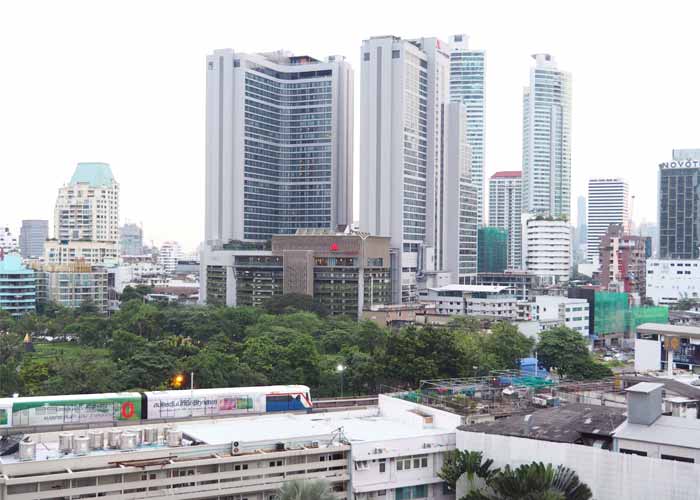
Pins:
<point x="404" y="84"/>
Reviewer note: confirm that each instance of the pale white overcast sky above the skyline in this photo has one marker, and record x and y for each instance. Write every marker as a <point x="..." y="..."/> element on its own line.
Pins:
<point x="123" y="82"/>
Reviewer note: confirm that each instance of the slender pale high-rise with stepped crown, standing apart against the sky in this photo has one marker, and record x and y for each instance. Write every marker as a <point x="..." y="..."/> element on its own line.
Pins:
<point x="547" y="139"/>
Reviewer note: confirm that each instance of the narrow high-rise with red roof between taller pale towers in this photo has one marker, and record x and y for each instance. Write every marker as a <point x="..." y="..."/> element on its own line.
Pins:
<point x="505" y="211"/>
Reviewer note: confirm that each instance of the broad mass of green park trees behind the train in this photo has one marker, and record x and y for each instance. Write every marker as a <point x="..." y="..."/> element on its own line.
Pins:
<point x="144" y="345"/>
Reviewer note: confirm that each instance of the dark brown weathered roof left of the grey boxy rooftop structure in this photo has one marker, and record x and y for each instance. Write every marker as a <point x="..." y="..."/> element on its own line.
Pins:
<point x="563" y="424"/>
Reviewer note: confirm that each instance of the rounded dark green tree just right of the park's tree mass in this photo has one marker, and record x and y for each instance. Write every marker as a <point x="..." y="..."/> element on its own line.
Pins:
<point x="567" y="351"/>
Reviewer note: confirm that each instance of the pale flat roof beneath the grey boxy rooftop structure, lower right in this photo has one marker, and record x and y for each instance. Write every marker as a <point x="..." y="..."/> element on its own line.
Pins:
<point x="676" y="431"/>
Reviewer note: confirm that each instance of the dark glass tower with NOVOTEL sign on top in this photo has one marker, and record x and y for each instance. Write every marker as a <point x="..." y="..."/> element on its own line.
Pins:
<point x="679" y="206"/>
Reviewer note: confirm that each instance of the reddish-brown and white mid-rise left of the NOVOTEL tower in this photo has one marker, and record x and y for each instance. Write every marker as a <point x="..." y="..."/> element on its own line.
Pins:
<point x="623" y="261"/>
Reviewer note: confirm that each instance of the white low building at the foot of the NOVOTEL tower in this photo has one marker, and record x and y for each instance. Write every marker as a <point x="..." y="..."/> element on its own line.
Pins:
<point x="671" y="280"/>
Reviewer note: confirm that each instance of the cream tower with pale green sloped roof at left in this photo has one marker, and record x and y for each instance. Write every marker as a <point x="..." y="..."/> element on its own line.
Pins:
<point x="87" y="208"/>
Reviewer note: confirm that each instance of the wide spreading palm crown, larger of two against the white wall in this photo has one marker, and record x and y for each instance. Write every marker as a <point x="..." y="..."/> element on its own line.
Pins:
<point x="535" y="481"/>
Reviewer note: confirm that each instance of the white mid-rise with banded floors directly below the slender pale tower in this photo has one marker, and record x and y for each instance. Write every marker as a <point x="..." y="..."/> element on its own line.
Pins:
<point x="547" y="248"/>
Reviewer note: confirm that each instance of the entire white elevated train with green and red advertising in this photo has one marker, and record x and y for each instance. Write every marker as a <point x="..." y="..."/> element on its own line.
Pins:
<point x="134" y="406"/>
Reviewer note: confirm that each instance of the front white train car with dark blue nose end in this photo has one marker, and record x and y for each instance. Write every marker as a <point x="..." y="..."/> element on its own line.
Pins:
<point x="225" y="401"/>
